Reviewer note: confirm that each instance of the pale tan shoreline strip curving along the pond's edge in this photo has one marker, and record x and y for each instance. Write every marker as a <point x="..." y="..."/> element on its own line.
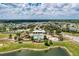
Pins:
<point x="34" y="49"/>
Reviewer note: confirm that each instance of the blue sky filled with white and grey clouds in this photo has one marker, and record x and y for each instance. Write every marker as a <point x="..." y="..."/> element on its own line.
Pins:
<point x="39" y="11"/>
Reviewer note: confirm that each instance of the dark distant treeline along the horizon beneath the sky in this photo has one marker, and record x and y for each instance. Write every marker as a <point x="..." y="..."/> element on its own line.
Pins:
<point x="38" y="20"/>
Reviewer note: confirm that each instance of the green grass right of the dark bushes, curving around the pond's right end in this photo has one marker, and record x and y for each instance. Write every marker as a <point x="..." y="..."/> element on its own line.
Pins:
<point x="71" y="46"/>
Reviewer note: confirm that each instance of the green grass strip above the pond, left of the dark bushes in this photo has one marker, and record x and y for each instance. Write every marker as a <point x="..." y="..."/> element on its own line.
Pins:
<point x="12" y="46"/>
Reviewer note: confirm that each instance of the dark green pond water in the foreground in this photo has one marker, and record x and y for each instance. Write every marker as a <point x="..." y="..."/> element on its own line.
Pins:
<point x="50" y="52"/>
